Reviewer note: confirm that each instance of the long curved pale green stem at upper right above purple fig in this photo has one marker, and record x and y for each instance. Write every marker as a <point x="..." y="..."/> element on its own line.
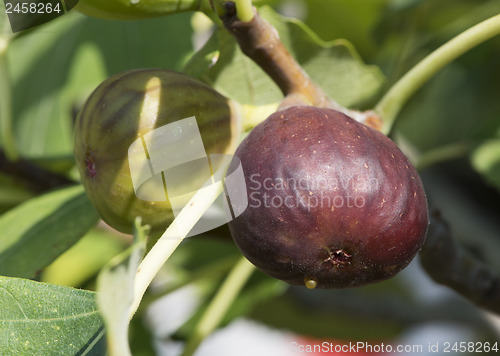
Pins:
<point x="392" y="102"/>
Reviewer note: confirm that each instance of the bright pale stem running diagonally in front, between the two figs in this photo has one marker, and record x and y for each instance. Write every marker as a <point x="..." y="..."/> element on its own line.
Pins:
<point x="170" y="240"/>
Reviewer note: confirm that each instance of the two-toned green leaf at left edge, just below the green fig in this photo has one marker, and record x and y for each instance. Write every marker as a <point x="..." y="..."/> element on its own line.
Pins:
<point x="34" y="234"/>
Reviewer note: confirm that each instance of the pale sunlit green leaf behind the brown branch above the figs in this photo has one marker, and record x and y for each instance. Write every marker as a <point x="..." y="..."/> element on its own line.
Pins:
<point x="335" y="66"/>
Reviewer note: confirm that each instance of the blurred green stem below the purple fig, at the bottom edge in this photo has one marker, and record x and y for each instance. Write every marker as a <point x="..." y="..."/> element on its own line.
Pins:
<point x="226" y="295"/>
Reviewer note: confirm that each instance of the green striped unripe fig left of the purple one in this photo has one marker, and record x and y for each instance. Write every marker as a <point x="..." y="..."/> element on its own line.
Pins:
<point x="123" y="109"/>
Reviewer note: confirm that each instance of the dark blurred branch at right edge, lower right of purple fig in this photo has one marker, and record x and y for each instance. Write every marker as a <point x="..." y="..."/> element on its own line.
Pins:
<point x="448" y="263"/>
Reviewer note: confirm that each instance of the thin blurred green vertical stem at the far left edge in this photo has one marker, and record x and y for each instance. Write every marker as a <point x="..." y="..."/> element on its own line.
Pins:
<point x="6" y="129"/>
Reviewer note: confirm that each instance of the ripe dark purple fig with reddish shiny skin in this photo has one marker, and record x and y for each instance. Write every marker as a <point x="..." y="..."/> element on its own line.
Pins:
<point x="333" y="203"/>
